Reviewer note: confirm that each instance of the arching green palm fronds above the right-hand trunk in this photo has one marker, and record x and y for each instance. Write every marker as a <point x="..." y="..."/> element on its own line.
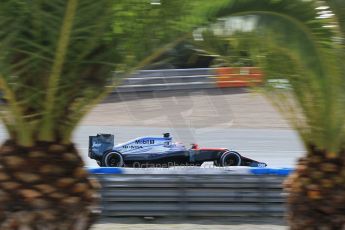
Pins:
<point x="317" y="84"/>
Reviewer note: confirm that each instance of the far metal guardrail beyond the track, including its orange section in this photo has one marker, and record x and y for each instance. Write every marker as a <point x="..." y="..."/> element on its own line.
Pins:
<point x="182" y="79"/>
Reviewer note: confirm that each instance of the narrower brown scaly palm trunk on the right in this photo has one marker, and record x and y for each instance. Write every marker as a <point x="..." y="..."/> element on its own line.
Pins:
<point x="317" y="191"/>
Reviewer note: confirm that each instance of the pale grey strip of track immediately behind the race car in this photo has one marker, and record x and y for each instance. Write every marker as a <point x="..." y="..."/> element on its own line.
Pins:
<point x="276" y="147"/>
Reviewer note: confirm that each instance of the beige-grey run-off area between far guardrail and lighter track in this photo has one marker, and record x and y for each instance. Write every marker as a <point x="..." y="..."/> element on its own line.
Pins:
<point x="196" y="109"/>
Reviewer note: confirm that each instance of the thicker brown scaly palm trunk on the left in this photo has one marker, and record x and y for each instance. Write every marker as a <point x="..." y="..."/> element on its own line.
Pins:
<point x="44" y="187"/>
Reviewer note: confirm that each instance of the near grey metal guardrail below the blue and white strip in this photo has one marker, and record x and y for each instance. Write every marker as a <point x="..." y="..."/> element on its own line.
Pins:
<point x="192" y="195"/>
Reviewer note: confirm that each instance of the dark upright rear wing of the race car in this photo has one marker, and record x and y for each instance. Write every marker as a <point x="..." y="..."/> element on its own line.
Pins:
<point x="99" y="144"/>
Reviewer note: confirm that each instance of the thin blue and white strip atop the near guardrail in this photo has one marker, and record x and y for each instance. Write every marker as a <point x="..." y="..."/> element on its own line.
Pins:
<point x="240" y="170"/>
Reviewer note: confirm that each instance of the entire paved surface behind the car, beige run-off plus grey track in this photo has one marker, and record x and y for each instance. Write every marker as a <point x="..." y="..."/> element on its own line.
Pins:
<point x="234" y="119"/>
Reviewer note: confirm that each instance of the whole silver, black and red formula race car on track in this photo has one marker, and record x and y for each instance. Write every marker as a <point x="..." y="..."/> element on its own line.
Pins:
<point x="160" y="151"/>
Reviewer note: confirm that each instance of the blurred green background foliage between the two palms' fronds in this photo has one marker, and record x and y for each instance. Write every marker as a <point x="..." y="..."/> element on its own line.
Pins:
<point x="142" y="27"/>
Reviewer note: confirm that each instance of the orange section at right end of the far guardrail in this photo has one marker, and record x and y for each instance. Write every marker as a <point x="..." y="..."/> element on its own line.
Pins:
<point x="238" y="77"/>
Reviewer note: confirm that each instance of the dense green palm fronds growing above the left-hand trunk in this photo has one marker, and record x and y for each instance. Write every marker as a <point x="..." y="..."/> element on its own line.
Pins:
<point x="61" y="49"/>
